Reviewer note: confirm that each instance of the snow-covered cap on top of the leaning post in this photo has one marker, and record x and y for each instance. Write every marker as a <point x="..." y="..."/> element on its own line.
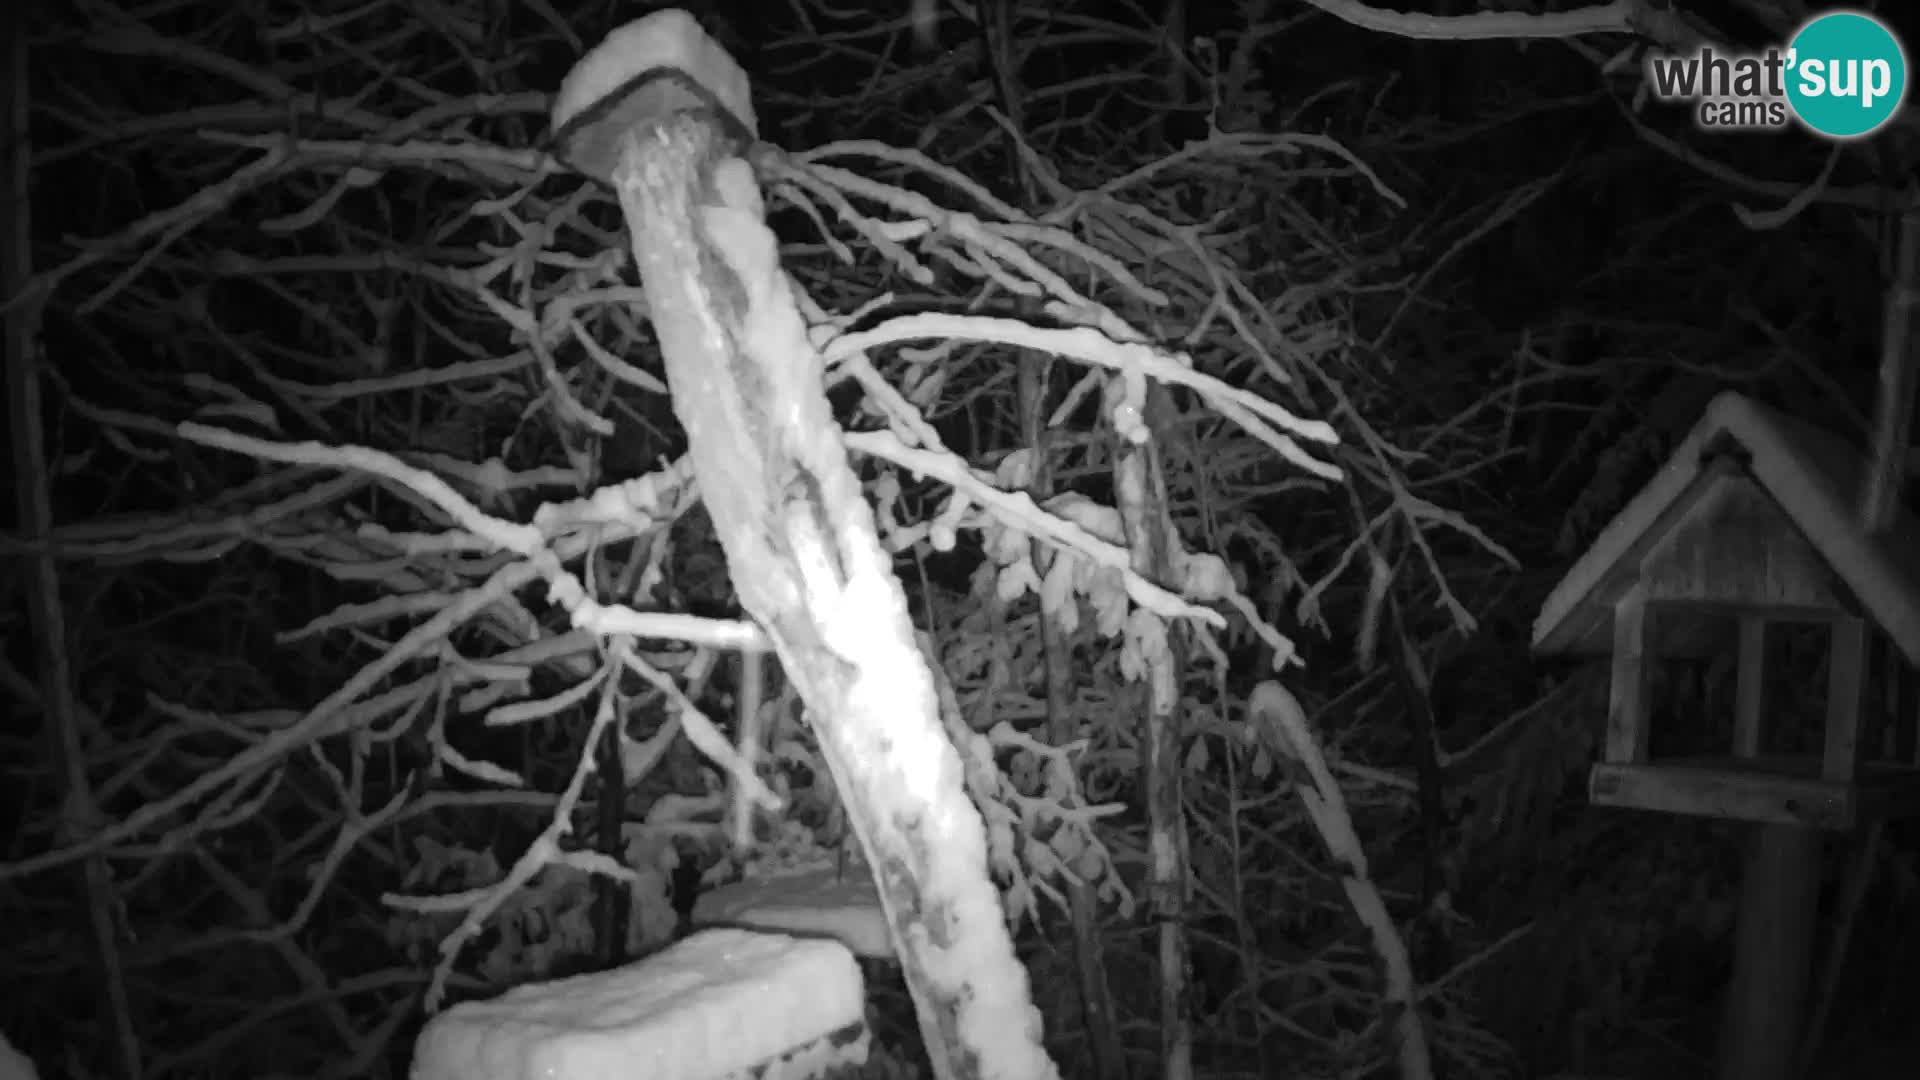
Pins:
<point x="648" y="70"/>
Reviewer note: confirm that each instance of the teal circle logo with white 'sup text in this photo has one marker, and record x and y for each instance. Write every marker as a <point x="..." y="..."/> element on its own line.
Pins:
<point x="1846" y="74"/>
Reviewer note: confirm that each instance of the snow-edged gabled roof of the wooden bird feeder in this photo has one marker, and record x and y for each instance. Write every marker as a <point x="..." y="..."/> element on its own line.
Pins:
<point x="1812" y="476"/>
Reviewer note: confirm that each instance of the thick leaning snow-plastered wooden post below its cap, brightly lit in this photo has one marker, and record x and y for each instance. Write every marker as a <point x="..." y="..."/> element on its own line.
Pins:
<point x="809" y="568"/>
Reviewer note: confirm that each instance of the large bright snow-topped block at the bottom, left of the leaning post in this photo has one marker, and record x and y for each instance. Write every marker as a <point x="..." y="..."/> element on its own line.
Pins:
<point x="723" y="1004"/>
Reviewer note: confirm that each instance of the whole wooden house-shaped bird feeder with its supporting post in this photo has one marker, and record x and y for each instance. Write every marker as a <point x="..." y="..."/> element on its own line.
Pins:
<point x="1752" y="526"/>
